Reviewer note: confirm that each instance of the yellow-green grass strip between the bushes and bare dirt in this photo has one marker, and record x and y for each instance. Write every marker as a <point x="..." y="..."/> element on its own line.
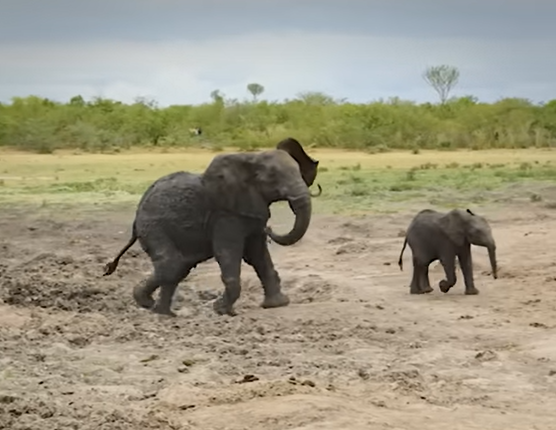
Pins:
<point x="352" y="181"/>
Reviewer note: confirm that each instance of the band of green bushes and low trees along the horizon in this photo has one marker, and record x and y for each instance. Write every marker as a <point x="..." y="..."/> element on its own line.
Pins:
<point x="41" y="125"/>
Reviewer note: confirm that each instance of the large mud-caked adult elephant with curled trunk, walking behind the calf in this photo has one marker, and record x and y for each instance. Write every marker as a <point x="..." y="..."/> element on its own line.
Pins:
<point x="184" y="219"/>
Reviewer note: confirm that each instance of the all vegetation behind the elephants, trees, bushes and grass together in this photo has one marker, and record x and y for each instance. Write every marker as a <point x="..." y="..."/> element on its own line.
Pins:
<point x="106" y="151"/>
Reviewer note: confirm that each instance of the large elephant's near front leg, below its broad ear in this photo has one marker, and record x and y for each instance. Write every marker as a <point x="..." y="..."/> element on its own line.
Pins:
<point x="228" y="244"/>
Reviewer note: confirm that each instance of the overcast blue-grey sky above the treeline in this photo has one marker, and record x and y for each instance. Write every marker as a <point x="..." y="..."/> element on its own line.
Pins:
<point x="178" y="51"/>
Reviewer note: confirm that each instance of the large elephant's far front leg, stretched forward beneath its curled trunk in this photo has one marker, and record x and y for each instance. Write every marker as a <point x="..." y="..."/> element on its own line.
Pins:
<point x="257" y="256"/>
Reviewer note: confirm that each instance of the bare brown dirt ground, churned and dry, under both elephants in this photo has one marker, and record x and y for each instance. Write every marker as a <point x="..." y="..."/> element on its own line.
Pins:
<point x="354" y="350"/>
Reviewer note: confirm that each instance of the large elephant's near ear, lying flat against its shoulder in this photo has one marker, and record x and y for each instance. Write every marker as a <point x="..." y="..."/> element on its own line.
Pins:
<point x="231" y="184"/>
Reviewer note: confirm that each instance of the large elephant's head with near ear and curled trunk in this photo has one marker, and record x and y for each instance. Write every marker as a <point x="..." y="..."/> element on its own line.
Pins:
<point x="247" y="183"/>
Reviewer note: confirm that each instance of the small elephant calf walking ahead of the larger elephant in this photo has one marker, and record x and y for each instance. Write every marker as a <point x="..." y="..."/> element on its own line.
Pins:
<point x="433" y="235"/>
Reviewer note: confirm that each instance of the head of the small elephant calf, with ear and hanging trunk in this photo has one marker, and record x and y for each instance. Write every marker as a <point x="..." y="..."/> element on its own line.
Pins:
<point x="461" y="226"/>
